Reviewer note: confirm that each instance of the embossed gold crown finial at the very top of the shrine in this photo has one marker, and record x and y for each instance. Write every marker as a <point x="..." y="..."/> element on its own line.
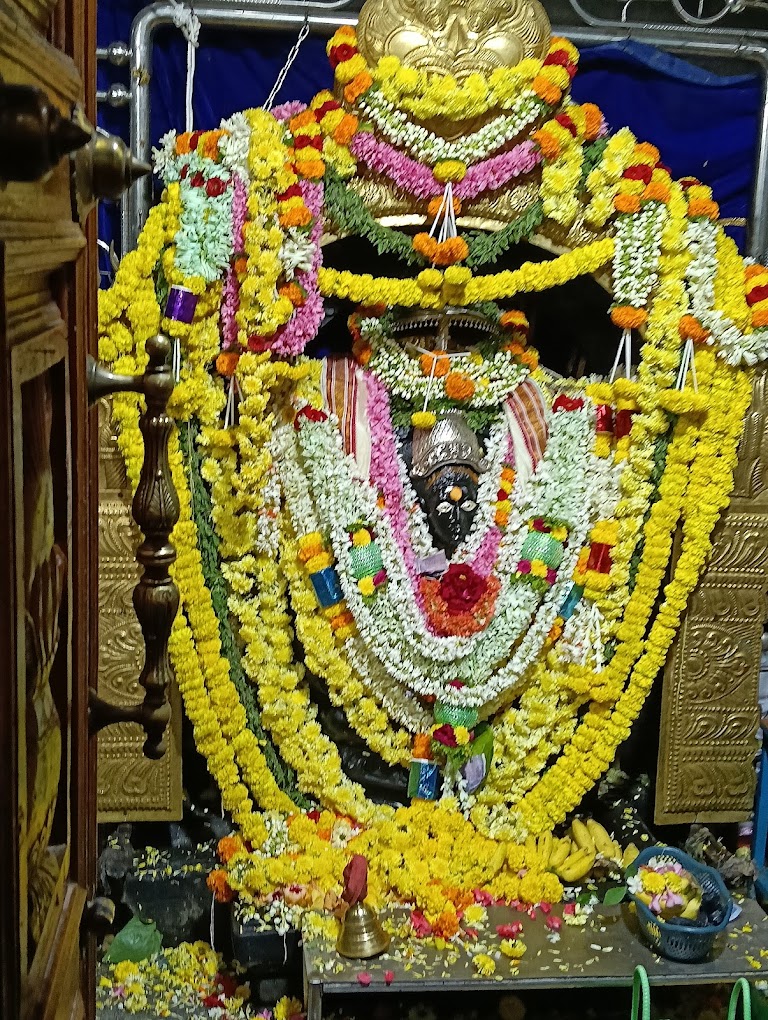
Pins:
<point x="454" y="37"/>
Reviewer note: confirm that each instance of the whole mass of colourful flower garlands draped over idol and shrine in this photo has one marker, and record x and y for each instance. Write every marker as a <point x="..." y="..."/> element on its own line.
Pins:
<point x="503" y="670"/>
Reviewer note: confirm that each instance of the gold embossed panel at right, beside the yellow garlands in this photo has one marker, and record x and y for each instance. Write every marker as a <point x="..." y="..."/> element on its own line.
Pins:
<point x="710" y="715"/>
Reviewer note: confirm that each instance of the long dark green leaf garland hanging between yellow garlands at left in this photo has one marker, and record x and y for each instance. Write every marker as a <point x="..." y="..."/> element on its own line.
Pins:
<point x="209" y="543"/>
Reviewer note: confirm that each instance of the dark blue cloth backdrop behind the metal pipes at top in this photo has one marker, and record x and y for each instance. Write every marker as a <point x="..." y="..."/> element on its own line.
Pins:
<point x="705" y="126"/>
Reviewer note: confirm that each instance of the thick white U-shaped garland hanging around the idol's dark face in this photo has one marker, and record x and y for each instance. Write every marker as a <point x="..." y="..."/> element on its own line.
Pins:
<point x="392" y="628"/>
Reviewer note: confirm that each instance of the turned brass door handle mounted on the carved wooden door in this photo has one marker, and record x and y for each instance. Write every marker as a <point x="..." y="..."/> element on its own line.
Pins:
<point x="156" y="512"/>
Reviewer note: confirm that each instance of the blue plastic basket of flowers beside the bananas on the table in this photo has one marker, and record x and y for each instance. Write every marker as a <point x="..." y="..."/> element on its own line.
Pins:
<point x="680" y="941"/>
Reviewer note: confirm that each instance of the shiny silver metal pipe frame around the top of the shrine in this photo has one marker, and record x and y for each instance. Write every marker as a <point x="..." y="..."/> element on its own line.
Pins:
<point x="693" y="42"/>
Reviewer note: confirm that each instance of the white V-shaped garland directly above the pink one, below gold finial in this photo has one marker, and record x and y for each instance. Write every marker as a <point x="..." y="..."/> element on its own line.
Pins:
<point x="430" y="148"/>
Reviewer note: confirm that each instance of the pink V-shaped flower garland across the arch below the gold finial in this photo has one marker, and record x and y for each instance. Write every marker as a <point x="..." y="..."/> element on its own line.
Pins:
<point x="420" y="181"/>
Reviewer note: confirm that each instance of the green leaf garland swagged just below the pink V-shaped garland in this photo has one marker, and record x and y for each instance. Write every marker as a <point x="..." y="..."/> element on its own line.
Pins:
<point x="348" y="213"/>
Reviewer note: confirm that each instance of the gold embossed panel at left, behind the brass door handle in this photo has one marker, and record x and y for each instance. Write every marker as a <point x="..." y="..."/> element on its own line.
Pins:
<point x="130" y="786"/>
